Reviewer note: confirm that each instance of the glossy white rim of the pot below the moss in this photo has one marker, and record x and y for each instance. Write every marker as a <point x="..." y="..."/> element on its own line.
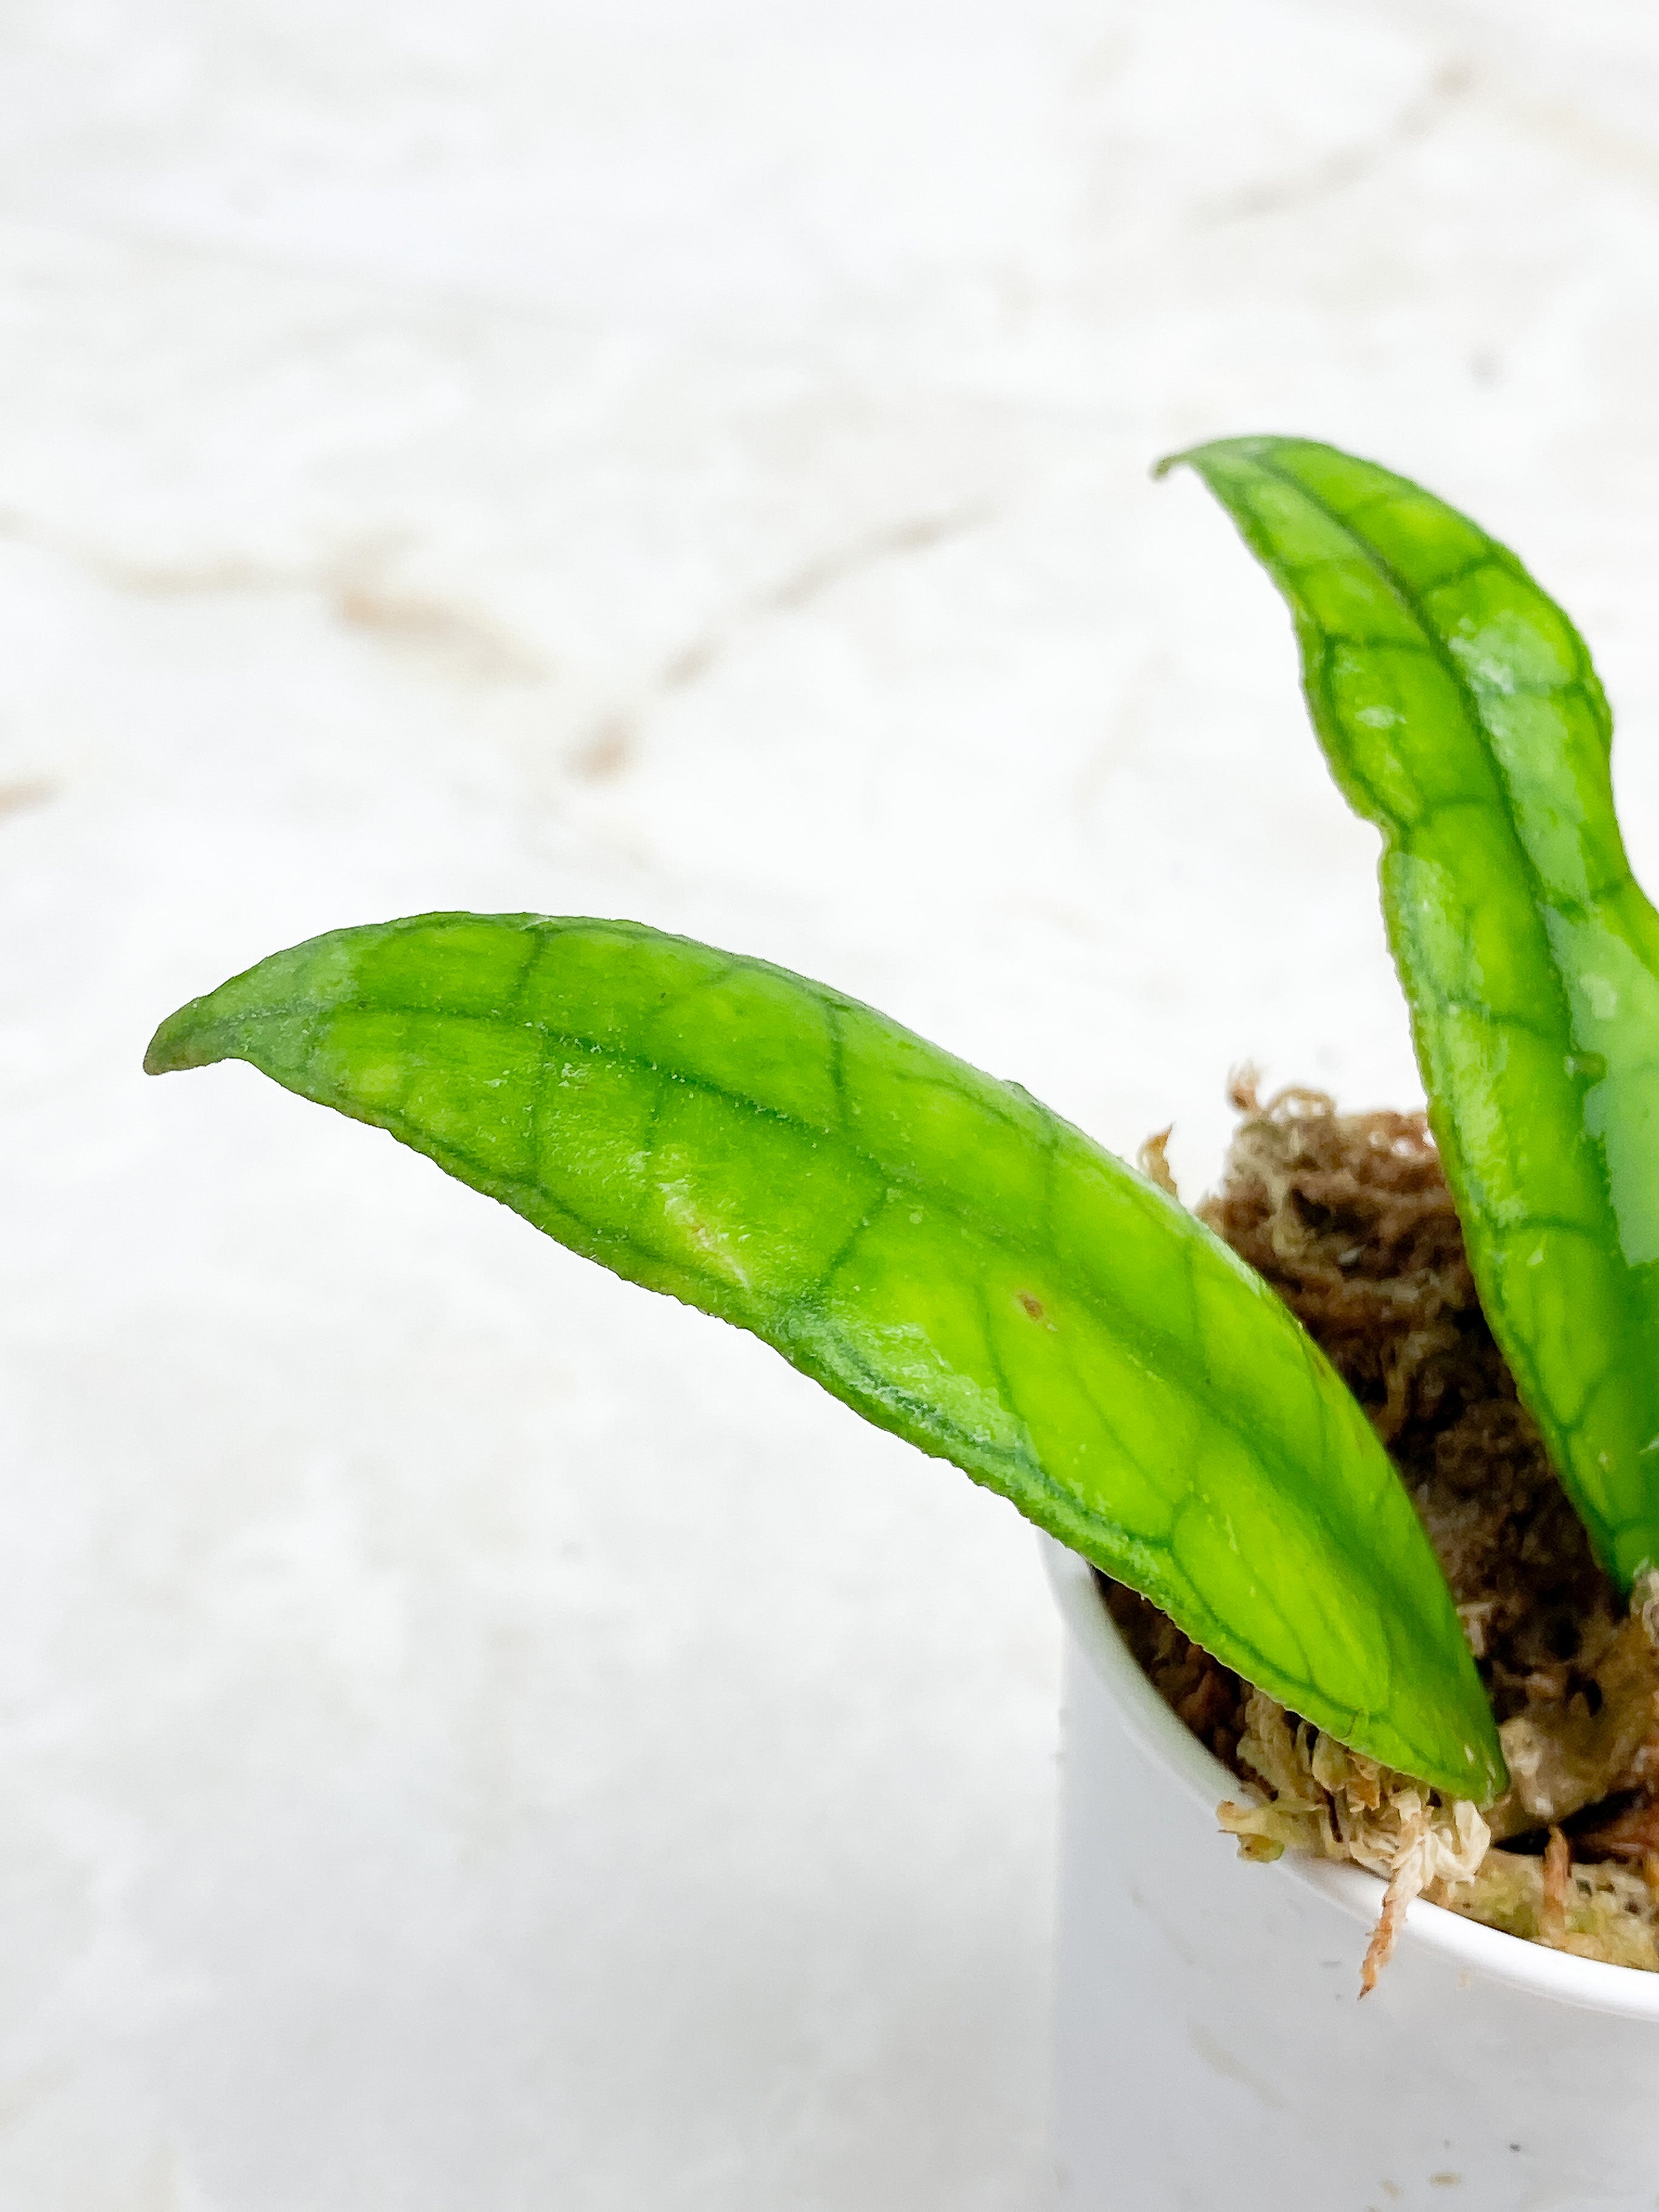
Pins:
<point x="1556" y="1976"/>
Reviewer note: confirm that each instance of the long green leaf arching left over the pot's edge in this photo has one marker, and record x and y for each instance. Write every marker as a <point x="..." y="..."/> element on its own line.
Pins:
<point x="932" y="1246"/>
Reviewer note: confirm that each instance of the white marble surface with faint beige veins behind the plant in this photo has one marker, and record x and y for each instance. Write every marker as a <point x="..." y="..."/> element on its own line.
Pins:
<point x="472" y="1735"/>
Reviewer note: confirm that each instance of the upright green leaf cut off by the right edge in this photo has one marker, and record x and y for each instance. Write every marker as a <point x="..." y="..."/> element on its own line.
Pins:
<point x="1459" y="713"/>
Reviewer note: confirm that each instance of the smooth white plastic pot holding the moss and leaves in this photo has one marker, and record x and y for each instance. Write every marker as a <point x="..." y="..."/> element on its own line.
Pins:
<point x="1211" y="2049"/>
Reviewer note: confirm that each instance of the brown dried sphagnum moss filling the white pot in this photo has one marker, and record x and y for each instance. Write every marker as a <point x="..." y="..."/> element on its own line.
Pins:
<point x="1353" y="1224"/>
